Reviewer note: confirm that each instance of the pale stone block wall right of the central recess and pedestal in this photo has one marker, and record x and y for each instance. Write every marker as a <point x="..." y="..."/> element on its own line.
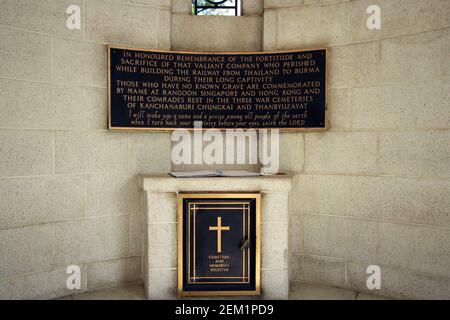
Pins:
<point x="375" y="189"/>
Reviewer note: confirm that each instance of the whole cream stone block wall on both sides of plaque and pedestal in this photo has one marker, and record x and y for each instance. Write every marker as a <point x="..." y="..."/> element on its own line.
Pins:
<point x="375" y="189"/>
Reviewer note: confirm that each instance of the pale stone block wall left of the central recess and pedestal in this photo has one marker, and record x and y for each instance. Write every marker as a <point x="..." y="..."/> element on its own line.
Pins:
<point x="68" y="189"/>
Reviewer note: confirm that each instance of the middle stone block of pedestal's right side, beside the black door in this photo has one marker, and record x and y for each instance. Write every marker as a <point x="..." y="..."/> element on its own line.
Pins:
<point x="274" y="246"/>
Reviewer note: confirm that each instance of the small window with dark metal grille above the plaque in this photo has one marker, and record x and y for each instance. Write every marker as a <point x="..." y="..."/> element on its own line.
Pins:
<point x="216" y="7"/>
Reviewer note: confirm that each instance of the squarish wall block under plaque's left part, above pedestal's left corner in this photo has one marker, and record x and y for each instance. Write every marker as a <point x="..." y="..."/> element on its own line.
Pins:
<point x="150" y="152"/>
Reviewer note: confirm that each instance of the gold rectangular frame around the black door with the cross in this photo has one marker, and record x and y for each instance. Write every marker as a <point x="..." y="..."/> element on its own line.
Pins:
<point x="205" y="195"/>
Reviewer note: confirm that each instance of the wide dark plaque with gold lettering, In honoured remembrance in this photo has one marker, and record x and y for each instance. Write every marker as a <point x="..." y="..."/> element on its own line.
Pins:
<point x="169" y="90"/>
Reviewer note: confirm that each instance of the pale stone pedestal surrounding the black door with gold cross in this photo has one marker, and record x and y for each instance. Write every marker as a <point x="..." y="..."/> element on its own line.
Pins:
<point x="160" y="229"/>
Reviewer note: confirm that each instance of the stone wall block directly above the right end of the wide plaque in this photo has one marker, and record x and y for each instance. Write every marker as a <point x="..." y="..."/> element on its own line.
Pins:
<point x="313" y="26"/>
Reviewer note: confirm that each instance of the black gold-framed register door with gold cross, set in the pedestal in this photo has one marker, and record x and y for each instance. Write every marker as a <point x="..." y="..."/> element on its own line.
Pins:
<point x="218" y="244"/>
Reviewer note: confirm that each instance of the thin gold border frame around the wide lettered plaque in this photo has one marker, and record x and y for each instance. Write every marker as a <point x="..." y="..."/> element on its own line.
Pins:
<point x="108" y="66"/>
